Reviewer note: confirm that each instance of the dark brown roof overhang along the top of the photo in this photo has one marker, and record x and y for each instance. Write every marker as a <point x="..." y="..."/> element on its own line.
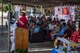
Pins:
<point x="44" y="2"/>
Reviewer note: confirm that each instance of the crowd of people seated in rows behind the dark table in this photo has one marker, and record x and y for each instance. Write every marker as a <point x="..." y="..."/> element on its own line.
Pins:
<point x="52" y="28"/>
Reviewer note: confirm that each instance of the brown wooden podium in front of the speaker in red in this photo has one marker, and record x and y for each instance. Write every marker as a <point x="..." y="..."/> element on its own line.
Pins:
<point x="21" y="38"/>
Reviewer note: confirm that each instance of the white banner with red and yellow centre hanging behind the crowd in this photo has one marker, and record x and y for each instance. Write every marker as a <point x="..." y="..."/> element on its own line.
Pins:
<point x="65" y="12"/>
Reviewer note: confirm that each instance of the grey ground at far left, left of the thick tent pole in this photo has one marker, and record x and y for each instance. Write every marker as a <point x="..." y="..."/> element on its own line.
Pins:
<point x="3" y="40"/>
